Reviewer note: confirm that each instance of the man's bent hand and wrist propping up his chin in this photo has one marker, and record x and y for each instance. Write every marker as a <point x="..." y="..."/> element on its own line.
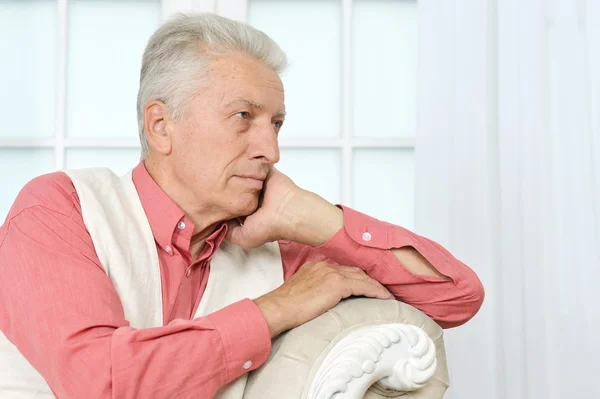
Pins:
<point x="287" y="212"/>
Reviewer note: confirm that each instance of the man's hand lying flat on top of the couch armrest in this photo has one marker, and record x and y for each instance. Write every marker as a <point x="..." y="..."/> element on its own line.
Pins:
<point x="313" y="290"/>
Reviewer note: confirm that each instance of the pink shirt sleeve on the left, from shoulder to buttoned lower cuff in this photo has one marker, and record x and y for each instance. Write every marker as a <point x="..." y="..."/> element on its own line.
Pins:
<point x="64" y="315"/>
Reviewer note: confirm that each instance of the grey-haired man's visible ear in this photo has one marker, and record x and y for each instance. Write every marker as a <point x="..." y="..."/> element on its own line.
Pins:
<point x="157" y="124"/>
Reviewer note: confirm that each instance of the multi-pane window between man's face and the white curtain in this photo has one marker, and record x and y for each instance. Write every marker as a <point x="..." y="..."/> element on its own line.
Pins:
<point x="350" y="97"/>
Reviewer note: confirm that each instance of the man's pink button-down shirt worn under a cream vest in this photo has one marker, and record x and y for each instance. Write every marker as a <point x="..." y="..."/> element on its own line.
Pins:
<point x="62" y="312"/>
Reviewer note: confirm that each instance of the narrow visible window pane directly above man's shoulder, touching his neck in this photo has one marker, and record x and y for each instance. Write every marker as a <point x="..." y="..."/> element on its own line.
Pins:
<point x="119" y="161"/>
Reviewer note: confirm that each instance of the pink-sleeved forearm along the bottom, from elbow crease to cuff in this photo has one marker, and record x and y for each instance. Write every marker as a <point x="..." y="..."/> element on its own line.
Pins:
<point x="189" y="358"/>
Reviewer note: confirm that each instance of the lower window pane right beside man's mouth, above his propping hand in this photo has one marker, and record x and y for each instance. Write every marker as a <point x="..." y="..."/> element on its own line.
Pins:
<point x="317" y="170"/>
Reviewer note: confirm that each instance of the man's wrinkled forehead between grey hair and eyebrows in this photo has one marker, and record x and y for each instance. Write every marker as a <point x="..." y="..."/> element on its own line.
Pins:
<point x="235" y="77"/>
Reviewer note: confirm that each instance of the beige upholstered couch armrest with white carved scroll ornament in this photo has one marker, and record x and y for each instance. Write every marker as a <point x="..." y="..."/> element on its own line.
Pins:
<point x="366" y="347"/>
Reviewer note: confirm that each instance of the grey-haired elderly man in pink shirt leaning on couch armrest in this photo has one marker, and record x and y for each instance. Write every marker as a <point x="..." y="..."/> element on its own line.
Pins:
<point x="171" y="281"/>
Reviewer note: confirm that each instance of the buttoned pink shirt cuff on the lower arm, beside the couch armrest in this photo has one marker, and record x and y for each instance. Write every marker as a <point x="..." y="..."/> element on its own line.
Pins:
<point x="245" y="336"/>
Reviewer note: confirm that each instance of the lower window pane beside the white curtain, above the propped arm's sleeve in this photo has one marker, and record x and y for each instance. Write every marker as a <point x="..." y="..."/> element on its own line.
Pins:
<point x="383" y="185"/>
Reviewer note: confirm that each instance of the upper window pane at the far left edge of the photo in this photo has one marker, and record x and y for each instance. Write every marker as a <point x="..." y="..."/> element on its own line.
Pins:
<point x="28" y="67"/>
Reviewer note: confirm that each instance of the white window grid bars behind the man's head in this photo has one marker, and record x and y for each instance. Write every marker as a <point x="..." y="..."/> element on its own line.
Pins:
<point x="347" y="144"/>
